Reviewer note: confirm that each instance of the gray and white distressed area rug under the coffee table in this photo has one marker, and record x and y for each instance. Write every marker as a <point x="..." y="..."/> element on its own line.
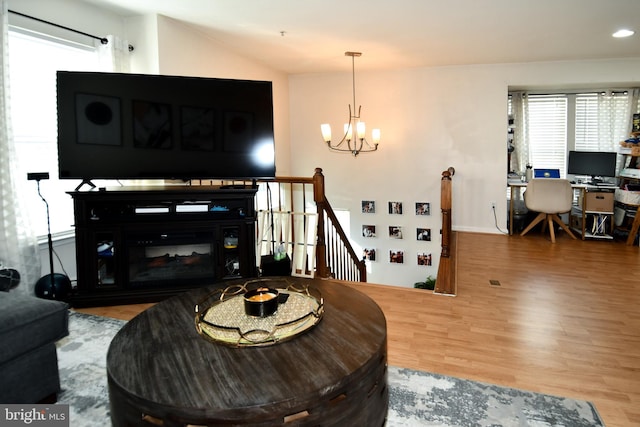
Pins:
<point x="416" y="398"/>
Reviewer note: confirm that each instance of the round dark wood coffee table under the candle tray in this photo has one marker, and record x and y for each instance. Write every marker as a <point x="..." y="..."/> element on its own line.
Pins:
<point x="162" y="372"/>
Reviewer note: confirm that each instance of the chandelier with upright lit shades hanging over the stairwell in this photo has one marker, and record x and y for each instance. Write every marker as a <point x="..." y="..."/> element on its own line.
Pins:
<point x="348" y="143"/>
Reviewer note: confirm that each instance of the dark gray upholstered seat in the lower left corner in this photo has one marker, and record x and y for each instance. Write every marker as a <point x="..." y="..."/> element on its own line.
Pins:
<point x="29" y="329"/>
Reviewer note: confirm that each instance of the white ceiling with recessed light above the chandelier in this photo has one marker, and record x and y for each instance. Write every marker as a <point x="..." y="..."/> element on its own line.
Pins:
<point x="404" y="33"/>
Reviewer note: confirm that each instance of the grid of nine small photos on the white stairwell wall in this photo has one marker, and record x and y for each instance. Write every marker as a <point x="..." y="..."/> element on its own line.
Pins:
<point x="399" y="234"/>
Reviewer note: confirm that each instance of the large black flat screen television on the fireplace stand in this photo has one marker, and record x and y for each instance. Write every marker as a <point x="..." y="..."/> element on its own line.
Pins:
<point x="135" y="126"/>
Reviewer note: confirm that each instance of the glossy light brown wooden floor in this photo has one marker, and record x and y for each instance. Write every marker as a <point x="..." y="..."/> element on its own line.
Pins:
<point x="565" y="320"/>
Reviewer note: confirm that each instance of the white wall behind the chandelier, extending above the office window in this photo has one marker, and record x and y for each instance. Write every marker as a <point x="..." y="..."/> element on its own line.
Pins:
<point x="431" y="118"/>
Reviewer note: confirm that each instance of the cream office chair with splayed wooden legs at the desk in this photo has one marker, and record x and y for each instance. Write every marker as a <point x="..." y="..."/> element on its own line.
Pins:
<point x="550" y="197"/>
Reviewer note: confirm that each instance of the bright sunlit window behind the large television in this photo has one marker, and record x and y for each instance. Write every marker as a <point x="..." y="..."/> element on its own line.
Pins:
<point x="33" y="62"/>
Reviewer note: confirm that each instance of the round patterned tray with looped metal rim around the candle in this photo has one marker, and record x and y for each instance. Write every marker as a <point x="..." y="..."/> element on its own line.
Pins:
<point x="220" y="317"/>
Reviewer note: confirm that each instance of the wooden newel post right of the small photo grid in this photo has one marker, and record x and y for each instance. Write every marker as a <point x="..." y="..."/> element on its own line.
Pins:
<point x="445" y="282"/>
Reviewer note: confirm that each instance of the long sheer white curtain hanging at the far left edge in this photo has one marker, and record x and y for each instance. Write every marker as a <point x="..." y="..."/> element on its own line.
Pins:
<point x="18" y="243"/>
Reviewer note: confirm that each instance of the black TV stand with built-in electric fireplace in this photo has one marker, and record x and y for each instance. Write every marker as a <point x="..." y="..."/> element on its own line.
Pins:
<point x="143" y="244"/>
